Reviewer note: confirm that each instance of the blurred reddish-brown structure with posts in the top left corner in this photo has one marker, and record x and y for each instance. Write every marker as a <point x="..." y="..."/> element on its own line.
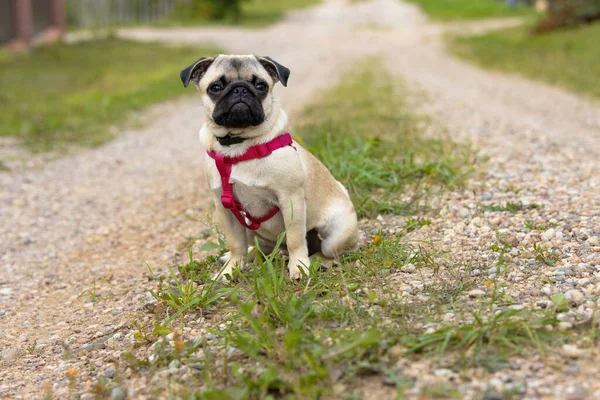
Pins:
<point x="24" y="21"/>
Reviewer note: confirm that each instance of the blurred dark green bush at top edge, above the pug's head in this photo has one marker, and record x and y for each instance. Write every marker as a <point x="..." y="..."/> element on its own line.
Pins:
<point x="212" y="9"/>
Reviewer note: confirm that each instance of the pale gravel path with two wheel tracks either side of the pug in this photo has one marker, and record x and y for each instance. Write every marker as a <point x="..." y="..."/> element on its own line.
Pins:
<point x="97" y="216"/>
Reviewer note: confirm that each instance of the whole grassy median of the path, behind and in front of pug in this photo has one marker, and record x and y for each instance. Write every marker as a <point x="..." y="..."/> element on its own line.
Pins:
<point x="353" y="323"/>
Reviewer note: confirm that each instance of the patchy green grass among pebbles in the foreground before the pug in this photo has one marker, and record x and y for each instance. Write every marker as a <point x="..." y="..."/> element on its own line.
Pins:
<point x="307" y="339"/>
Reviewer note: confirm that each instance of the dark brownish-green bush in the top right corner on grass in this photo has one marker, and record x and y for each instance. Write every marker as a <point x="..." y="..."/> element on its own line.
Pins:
<point x="568" y="13"/>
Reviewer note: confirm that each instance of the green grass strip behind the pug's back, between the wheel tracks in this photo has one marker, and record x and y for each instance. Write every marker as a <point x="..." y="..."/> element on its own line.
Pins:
<point x="364" y="132"/>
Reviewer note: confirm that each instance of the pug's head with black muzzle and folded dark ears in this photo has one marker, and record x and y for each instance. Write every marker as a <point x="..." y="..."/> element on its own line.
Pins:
<point x="237" y="90"/>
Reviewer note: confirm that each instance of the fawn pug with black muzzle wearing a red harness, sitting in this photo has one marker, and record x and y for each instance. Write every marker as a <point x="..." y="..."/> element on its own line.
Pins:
<point x="285" y="189"/>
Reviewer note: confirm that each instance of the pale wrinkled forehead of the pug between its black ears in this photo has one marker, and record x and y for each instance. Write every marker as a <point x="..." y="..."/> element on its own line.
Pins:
<point x="235" y="67"/>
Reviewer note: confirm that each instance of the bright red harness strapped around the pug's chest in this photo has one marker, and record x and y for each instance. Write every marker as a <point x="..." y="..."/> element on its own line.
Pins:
<point x="224" y="164"/>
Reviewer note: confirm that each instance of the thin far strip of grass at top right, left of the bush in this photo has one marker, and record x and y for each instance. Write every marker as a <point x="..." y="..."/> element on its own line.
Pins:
<point x="447" y="10"/>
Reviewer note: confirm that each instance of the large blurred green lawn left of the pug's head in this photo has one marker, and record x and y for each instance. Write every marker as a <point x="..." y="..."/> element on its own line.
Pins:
<point x="65" y="95"/>
